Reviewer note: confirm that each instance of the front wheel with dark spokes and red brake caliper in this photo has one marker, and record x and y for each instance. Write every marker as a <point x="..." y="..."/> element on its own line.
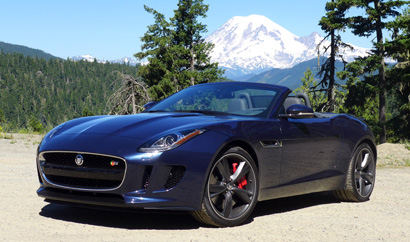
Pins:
<point x="231" y="190"/>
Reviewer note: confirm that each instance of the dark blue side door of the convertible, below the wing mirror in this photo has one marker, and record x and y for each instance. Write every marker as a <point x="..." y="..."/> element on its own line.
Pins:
<point x="309" y="151"/>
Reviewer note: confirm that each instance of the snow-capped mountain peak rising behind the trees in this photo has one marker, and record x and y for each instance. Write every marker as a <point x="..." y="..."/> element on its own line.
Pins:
<point x="254" y="44"/>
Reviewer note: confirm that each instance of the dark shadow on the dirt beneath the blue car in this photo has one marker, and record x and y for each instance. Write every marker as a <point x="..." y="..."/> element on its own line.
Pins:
<point x="172" y="220"/>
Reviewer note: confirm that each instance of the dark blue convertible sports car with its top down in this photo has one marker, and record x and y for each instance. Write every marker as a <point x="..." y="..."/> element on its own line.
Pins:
<point x="212" y="149"/>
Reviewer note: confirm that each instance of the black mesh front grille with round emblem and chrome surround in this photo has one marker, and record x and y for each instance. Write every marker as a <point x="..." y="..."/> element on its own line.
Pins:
<point x="96" y="171"/>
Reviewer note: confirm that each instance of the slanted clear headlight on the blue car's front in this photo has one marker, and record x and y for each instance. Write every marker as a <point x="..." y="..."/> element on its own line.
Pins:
<point x="170" y="141"/>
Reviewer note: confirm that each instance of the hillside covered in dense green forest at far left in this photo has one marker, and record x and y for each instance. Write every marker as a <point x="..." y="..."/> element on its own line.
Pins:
<point x="53" y="91"/>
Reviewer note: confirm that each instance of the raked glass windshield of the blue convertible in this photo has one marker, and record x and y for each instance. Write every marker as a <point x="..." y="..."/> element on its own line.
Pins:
<point x="230" y="98"/>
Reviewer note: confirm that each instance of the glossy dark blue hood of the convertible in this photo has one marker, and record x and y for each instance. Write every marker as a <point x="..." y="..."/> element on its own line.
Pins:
<point x="140" y="126"/>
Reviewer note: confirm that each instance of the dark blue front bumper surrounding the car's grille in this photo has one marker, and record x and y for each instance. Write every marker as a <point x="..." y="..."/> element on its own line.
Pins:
<point x="184" y="193"/>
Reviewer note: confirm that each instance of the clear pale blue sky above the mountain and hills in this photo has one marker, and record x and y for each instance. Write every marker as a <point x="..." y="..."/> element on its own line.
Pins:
<point x="112" y="29"/>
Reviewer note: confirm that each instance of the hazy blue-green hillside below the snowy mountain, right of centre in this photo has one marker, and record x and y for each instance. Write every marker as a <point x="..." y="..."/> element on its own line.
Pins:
<point x="290" y="77"/>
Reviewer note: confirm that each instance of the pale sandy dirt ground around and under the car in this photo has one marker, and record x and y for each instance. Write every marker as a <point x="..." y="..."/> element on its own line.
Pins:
<point x="316" y="217"/>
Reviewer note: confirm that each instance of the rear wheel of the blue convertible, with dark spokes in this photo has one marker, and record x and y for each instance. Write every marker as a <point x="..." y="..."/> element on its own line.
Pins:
<point x="361" y="176"/>
